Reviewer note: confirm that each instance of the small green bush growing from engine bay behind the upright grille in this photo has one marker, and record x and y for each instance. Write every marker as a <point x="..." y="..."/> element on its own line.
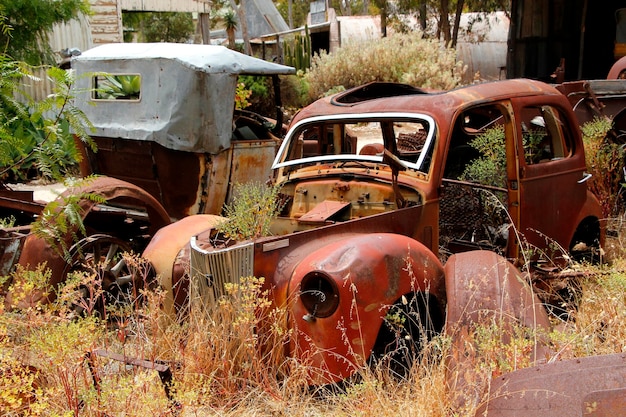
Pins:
<point x="251" y="211"/>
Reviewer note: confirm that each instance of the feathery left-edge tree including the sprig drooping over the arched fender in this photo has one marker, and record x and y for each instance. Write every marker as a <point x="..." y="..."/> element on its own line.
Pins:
<point x="35" y="136"/>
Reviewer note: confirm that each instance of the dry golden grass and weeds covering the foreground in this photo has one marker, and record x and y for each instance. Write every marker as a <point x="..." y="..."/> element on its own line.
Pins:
<point x="223" y="366"/>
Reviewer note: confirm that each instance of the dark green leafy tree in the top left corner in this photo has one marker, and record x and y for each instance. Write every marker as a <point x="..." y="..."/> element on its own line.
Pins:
<point x="31" y="22"/>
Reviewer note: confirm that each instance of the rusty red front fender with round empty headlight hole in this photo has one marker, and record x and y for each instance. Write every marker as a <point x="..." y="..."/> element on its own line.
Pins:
<point x="369" y="273"/>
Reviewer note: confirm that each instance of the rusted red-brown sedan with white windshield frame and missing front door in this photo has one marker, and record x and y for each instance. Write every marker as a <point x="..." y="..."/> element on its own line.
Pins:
<point x="383" y="217"/>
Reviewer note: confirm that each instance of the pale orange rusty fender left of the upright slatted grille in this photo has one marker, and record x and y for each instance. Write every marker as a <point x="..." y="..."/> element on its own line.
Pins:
<point x="168" y="253"/>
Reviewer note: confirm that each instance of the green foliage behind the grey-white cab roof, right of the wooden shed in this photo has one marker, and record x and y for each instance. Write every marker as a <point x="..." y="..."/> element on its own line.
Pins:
<point x="158" y="27"/>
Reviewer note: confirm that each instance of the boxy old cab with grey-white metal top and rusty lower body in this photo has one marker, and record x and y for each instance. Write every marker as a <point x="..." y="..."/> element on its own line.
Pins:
<point x="165" y="120"/>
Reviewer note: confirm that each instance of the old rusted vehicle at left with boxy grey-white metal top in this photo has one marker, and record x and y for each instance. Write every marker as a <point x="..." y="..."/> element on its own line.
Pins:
<point x="169" y="143"/>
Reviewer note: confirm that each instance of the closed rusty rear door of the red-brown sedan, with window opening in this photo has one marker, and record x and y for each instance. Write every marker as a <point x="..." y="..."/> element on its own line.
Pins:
<point x="552" y="188"/>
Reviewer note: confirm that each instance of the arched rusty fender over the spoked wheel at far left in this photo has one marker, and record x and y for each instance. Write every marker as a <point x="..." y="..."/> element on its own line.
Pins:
<point x="38" y="251"/>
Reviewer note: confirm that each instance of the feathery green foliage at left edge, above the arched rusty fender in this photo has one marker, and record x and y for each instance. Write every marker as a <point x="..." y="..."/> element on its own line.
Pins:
<point x="35" y="136"/>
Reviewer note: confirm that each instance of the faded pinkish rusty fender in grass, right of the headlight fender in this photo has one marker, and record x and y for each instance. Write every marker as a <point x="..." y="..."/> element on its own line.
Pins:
<point x="483" y="288"/>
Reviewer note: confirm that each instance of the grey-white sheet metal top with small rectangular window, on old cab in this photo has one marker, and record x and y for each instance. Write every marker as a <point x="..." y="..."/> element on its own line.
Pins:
<point x="187" y="92"/>
